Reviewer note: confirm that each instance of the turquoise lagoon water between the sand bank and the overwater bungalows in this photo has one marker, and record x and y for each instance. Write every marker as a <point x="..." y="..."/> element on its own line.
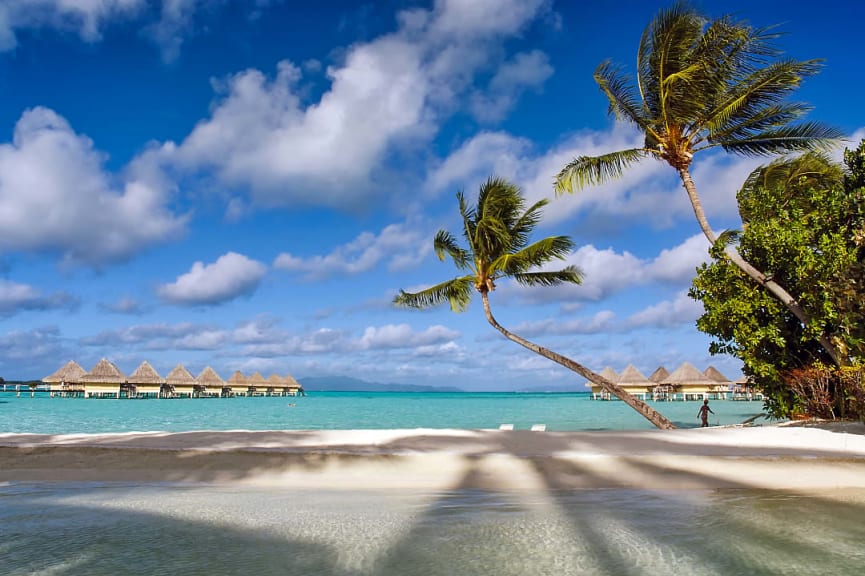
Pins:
<point x="347" y="411"/>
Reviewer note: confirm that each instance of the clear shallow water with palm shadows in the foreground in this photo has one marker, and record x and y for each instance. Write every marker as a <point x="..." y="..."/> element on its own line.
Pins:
<point x="110" y="529"/>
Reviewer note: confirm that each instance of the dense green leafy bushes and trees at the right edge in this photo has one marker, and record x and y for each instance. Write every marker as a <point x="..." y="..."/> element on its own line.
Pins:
<point x="804" y="224"/>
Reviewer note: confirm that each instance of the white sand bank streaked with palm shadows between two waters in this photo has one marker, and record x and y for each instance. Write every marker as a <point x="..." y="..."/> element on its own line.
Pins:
<point x="771" y="457"/>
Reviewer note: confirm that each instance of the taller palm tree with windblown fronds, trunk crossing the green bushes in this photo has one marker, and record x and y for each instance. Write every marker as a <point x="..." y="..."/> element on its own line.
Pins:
<point x="700" y="85"/>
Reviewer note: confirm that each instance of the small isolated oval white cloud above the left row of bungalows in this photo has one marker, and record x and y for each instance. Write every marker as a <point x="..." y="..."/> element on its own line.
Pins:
<point x="232" y="275"/>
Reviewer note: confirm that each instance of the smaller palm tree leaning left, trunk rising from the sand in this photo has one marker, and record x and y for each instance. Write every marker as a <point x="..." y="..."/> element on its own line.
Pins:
<point x="498" y="232"/>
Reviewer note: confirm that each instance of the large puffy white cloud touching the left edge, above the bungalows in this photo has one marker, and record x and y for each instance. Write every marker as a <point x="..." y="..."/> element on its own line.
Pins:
<point x="53" y="176"/>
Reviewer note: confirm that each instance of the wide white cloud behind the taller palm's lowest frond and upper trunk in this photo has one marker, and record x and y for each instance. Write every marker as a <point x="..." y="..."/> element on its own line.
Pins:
<point x="619" y="204"/>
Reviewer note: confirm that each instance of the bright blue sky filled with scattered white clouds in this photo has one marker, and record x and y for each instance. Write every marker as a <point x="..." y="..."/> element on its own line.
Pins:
<point x="246" y="184"/>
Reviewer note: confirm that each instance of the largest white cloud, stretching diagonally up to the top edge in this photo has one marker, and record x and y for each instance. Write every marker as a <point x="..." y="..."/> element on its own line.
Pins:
<point x="385" y="92"/>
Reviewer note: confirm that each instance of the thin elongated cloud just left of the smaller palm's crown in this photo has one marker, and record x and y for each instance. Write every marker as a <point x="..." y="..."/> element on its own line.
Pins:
<point x="401" y="245"/>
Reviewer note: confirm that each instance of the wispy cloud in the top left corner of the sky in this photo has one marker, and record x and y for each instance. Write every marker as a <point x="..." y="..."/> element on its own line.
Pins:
<point x="85" y="17"/>
